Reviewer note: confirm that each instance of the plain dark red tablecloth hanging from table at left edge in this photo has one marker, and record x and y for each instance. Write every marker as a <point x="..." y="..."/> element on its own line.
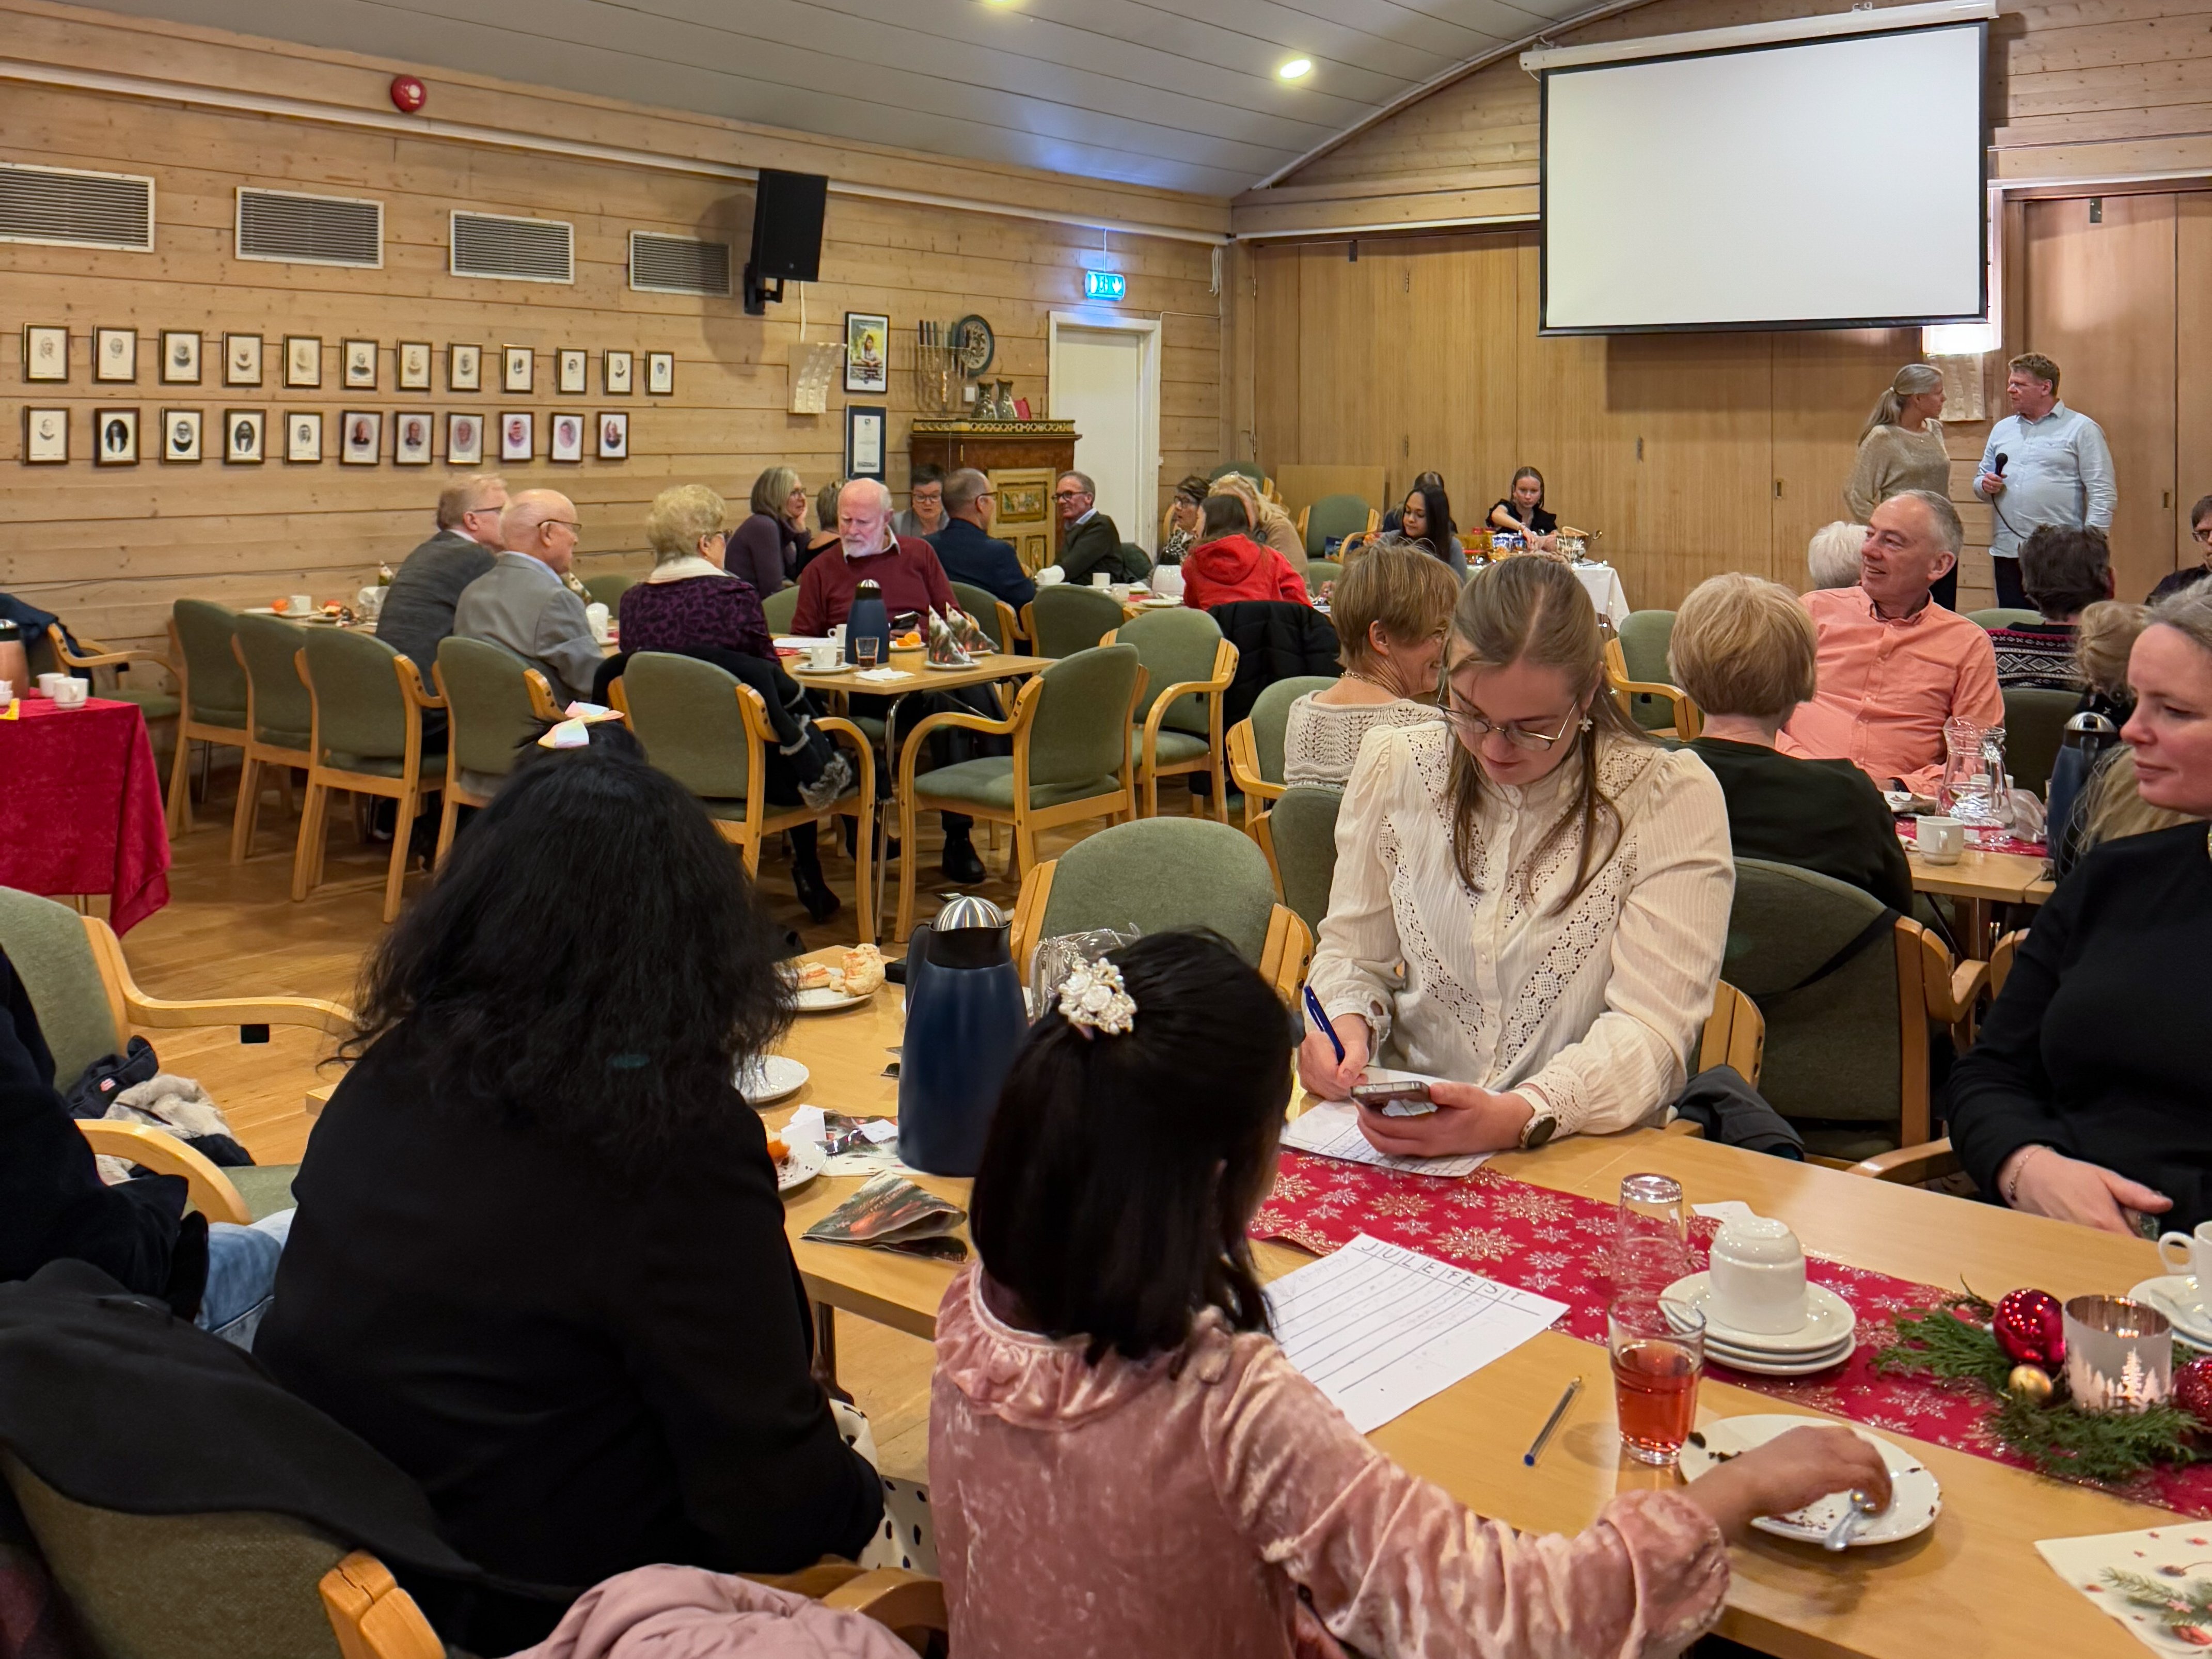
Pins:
<point x="81" y="806"/>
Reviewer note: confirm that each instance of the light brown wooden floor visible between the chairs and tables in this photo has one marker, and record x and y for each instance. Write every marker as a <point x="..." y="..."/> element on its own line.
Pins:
<point x="236" y="930"/>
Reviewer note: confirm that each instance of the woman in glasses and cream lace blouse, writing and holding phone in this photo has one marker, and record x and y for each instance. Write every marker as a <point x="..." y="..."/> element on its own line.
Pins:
<point x="1530" y="897"/>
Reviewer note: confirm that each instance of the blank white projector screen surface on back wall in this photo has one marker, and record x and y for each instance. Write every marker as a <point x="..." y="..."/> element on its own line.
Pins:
<point x="1811" y="185"/>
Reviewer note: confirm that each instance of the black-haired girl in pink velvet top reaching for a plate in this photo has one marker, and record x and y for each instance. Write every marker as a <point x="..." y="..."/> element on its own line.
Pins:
<point x="1120" y="1457"/>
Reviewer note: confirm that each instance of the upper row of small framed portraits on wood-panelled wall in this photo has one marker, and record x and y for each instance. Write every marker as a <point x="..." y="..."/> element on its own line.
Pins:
<point x="116" y="362"/>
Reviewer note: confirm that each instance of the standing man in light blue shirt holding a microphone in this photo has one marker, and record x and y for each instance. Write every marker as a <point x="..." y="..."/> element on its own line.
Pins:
<point x="2058" y="470"/>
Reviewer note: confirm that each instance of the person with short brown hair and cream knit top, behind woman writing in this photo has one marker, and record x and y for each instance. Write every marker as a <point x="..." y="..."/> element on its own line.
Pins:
<point x="1392" y="607"/>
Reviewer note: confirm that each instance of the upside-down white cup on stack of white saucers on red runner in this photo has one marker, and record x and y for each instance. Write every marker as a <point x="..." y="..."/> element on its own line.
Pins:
<point x="1760" y="1311"/>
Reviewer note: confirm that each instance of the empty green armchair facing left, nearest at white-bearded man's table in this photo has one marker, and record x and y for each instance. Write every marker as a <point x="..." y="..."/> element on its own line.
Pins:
<point x="1072" y="760"/>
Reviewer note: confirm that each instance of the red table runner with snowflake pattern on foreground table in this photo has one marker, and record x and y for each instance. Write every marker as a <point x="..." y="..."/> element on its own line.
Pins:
<point x="1558" y="1244"/>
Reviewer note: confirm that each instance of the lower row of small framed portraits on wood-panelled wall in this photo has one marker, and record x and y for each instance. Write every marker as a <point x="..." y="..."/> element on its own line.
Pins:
<point x="244" y="437"/>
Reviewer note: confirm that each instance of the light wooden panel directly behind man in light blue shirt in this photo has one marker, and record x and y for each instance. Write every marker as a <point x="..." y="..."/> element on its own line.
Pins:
<point x="2100" y="304"/>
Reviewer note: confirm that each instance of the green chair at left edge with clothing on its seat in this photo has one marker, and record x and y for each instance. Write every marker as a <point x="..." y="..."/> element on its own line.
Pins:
<point x="87" y="1005"/>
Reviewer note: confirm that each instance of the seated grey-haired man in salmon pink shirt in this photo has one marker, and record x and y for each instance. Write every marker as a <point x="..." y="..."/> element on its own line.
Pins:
<point x="1895" y="665"/>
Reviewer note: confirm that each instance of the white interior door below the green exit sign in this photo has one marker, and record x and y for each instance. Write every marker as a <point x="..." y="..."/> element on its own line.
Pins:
<point x="1107" y="382"/>
